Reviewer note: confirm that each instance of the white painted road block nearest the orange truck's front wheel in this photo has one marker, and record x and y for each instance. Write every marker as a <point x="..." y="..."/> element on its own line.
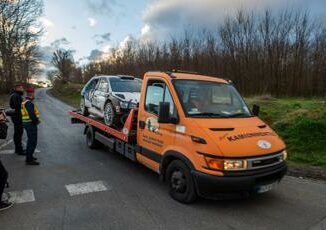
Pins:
<point x="84" y="188"/>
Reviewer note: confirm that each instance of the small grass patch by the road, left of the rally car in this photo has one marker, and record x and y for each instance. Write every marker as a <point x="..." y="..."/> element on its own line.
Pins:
<point x="69" y="93"/>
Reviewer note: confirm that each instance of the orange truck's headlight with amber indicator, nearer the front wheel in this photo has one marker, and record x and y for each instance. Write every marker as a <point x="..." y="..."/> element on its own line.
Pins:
<point x="227" y="165"/>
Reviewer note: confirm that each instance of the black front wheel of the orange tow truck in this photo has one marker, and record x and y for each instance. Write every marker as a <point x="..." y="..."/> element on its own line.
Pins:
<point x="181" y="183"/>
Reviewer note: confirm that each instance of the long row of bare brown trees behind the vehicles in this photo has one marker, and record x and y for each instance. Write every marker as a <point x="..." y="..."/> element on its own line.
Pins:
<point x="279" y="54"/>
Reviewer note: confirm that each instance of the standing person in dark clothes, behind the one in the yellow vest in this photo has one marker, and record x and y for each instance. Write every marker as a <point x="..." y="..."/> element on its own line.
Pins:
<point x="16" y="99"/>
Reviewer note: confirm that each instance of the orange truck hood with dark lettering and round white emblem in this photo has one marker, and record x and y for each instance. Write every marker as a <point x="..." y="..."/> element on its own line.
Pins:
<point x="241" y="137"/>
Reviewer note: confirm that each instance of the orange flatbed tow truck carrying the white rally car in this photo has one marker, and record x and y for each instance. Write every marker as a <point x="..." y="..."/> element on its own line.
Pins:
<point x="198" y="134"/>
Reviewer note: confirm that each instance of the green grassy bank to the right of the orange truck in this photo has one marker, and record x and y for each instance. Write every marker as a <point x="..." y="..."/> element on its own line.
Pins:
<point x="302" y="125"/>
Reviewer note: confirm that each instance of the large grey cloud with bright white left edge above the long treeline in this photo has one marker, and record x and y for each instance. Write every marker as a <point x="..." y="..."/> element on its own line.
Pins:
<point x="166" y="18"/>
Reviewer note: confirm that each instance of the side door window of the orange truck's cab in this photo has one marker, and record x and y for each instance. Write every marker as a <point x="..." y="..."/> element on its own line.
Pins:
<point x="157" y="91"/>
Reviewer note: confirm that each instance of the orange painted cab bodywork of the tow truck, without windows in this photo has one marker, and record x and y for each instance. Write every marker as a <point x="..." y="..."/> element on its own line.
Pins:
<point x="238" y="140"/>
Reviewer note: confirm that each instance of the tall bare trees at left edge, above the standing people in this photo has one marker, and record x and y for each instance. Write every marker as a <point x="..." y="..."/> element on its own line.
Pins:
<point x="19" y="34"/>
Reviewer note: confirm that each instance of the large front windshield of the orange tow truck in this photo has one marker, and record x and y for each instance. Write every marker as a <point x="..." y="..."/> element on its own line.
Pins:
<point x="204" y="98"/>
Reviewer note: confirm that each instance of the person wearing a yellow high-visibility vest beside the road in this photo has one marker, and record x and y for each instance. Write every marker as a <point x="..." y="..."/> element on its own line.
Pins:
<point x="31" y="118"/>
